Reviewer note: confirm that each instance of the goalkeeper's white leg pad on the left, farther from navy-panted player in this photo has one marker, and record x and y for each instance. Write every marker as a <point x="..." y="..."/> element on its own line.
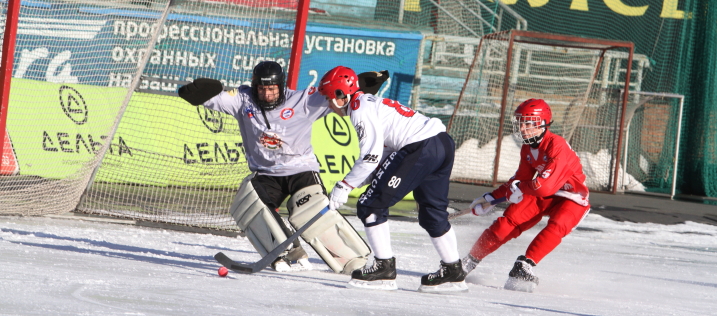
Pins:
<point x="255" y="219"/>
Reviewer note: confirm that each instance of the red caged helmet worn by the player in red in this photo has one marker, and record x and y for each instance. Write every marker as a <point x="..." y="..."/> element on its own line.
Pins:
<point x="530" y="120"/>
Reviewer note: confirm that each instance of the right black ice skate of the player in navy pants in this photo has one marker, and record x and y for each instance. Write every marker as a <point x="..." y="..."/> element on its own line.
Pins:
<point x="449" y="278"/>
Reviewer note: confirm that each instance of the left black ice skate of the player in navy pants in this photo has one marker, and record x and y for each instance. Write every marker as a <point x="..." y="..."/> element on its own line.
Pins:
<point x="380" y="276"/>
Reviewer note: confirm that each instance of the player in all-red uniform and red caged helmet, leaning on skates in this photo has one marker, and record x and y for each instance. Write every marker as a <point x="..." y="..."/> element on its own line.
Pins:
<point x="549" y="181"/>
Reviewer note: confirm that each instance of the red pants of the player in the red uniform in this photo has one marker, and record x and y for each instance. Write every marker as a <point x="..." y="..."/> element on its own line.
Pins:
<point x="564" y="216"/>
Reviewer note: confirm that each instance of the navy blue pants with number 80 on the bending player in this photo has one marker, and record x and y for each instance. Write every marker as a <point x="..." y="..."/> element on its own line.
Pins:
<point x="423" y="167"/>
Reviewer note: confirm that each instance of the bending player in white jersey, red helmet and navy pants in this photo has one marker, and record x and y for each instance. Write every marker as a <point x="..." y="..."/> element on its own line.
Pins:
<point x="401" y="151"/>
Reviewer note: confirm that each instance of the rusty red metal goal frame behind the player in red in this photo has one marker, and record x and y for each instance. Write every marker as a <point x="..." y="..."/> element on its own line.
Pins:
<point x="556" y="40"/>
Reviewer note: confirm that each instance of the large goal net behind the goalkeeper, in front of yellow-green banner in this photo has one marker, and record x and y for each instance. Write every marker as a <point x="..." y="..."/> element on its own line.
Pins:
<point x="87" y="72"/>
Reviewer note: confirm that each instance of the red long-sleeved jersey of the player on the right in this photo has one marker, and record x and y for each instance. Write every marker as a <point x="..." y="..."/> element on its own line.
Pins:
<point x="551" y="169"/>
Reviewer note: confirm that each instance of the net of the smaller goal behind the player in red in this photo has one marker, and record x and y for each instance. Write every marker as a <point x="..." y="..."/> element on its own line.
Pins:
<point x="580" y="78"/>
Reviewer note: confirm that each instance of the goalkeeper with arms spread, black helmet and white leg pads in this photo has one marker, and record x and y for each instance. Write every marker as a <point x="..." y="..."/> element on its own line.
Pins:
<point x="275" y="124"/>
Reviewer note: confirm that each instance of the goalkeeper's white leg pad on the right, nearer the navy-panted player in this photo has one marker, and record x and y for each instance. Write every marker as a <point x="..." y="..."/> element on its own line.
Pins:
<point x="332" y="236"/>
